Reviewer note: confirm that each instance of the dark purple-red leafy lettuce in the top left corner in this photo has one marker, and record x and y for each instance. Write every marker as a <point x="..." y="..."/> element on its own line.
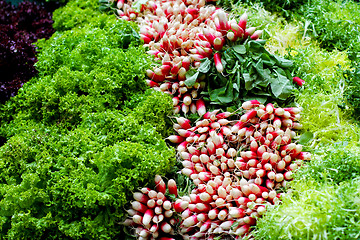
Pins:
<point x="20" y="27"/>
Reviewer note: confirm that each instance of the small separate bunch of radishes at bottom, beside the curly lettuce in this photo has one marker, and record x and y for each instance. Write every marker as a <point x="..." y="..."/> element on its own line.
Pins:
<point x="152" y="213"/>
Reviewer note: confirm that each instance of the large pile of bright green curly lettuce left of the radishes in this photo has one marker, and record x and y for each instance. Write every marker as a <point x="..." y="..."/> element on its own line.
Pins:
<point x="83" y="135"/>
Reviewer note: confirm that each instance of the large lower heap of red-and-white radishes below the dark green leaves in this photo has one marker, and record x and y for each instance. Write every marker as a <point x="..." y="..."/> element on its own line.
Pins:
<point x="237" y="166"/>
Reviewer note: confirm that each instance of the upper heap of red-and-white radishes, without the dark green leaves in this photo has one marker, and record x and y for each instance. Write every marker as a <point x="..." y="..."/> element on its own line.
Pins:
<point x="180" y="33"/>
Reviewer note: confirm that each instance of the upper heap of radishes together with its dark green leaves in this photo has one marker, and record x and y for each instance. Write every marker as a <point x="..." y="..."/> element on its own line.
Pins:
<point x="200" y="49"/>
